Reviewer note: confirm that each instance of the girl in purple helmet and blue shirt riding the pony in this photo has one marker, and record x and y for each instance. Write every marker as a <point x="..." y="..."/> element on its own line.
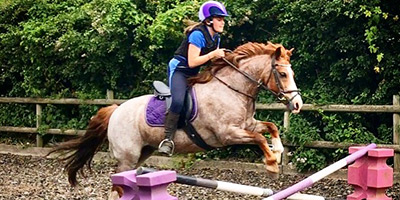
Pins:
<point x="200" y="45"/>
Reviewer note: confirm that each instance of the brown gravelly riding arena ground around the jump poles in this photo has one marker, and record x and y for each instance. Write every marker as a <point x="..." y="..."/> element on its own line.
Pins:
<point x="27" y="177"/>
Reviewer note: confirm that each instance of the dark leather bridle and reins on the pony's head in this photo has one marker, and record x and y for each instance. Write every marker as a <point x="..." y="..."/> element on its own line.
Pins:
<point x="280" y="95"/>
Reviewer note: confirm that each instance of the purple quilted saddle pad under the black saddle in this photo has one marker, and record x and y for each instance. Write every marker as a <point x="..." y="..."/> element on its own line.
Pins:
<point x="156" y="109"/>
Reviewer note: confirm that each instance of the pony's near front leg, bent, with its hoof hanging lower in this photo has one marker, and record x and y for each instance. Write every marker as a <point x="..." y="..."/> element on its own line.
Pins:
<point x="241" y="136"/>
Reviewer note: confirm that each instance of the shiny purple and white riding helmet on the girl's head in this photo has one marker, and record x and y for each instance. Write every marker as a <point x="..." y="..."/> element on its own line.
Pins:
<point x="211" y="9"/>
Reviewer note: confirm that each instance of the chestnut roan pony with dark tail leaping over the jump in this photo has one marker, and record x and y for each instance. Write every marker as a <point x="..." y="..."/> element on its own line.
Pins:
<point x="226" y="93"/>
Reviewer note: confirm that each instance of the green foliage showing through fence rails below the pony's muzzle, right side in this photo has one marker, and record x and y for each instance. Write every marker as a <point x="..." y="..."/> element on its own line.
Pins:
<point x="327" y="127"/>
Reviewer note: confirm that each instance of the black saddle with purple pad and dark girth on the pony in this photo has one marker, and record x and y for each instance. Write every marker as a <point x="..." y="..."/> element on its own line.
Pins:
<point x="160" y="103"/>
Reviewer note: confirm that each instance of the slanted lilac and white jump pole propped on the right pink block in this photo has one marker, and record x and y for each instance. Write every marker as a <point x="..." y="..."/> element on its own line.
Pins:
<point x="321" y="174"/>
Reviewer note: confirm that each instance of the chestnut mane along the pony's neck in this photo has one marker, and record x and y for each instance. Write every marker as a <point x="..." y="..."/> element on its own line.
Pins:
<point x="244" y="51"/>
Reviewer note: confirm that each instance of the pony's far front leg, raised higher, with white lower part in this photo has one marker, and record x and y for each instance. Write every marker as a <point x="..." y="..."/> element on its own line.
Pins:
<point x="262" y="127"/>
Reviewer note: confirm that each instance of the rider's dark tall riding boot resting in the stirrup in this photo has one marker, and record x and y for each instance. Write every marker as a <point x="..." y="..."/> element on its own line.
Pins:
<point x="167" y="146"/>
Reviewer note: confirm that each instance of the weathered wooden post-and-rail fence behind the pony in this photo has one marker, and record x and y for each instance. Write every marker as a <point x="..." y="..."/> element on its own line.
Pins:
<point x="395" y="109"/>
